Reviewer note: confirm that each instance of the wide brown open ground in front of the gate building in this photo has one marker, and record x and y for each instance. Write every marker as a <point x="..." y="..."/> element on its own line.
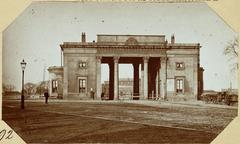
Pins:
<point x="112" y="122"/>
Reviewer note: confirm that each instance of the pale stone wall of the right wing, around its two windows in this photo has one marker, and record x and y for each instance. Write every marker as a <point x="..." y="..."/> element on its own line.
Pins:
<point x="189" y="72"/>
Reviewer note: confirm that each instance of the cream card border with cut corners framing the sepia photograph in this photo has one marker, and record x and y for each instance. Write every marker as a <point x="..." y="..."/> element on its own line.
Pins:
<point x="228" y="10"/>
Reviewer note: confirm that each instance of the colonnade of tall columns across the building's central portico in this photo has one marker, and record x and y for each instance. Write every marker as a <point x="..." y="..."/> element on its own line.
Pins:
<point x="153" y="78"/>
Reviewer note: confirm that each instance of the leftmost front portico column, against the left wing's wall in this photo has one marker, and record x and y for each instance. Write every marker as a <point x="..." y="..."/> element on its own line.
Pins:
<point x="98" y="73"/>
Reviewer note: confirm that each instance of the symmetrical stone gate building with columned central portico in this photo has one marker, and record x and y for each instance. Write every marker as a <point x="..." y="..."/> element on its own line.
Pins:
<point x="167" y="70"/>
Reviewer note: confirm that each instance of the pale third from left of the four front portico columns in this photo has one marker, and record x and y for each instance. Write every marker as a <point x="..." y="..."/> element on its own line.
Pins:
<point x="145" y="86"/>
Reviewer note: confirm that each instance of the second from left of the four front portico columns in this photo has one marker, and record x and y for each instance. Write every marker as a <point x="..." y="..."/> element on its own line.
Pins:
<point x="116" y="77"/>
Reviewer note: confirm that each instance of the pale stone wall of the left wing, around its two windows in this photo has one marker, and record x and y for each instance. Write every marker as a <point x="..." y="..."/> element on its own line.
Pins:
<point x="73" y="57"/>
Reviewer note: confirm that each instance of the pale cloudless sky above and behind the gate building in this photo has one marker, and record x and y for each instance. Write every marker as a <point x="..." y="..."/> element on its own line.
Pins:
<point x="37" y="33"/>
